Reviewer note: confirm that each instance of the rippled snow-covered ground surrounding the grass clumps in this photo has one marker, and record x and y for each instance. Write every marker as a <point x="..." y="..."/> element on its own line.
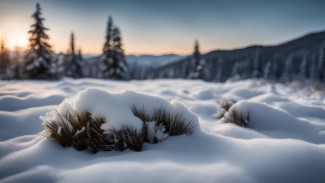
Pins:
<point x="284" y="141"/>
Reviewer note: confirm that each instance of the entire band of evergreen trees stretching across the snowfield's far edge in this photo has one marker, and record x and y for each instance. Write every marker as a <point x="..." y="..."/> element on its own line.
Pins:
<point x="39" y="62"/>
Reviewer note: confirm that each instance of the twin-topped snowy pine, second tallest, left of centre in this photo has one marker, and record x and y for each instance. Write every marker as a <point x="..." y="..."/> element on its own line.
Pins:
<point x="113" y="64"/>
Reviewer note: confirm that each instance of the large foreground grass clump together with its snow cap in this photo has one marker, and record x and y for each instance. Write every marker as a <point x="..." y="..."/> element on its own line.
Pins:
<point x="98" y="120"/>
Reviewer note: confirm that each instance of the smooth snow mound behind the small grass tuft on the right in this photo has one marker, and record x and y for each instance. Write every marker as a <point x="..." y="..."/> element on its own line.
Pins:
<point x="278" y="123"/>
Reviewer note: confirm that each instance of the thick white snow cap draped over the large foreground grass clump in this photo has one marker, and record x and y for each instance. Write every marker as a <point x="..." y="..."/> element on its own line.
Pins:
<point x="116" y="108"/>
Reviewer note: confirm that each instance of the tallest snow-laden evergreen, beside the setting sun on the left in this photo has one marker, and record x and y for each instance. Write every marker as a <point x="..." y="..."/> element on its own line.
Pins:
<point x="39" y="61"/>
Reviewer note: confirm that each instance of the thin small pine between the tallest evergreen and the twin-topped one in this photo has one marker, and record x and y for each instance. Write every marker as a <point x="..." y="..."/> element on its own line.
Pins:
<point x="74" y="68"/>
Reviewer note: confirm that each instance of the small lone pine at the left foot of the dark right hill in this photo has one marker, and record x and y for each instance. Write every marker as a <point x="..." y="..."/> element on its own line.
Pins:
<point x="198" y="65"/>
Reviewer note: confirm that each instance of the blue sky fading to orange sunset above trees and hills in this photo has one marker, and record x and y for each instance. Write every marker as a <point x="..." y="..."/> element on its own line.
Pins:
<point x="162" y="27"/>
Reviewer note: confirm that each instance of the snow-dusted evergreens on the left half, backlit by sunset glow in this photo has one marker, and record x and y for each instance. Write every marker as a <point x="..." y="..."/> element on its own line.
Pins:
<point x="40" y="62"/>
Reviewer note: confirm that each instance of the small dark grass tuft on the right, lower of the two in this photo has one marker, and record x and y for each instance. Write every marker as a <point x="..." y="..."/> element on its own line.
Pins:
<point x="237" y="118"/>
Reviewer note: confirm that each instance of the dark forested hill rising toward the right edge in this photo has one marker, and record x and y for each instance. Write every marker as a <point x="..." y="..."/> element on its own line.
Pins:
<point x="289" y="55"/>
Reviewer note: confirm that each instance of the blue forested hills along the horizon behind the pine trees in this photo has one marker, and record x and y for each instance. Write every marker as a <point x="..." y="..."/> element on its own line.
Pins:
<point x="300" y="57"/>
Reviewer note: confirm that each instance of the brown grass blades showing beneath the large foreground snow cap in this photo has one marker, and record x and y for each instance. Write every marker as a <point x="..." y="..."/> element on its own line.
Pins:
<point x="83" y="131"/>
